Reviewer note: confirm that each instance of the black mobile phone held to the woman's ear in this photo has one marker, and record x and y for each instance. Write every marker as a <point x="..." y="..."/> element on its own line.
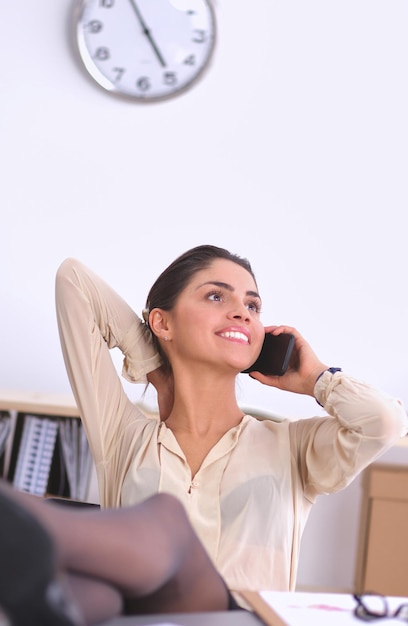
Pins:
<point x="275" y="355"/>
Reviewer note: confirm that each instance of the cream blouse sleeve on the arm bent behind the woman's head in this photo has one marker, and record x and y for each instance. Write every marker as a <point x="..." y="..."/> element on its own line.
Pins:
<point x="93" y="319"/>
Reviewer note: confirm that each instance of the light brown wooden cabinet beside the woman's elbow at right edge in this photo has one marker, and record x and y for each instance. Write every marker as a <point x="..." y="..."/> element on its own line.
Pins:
<point x="382" y="562"/>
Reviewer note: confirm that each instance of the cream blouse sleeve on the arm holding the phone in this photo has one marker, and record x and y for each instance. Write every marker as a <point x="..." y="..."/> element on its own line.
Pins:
<point x="362" y="424"/>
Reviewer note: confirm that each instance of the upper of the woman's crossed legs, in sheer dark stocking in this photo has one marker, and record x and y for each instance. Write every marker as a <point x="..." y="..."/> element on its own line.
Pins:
<point x="148" y="552"/>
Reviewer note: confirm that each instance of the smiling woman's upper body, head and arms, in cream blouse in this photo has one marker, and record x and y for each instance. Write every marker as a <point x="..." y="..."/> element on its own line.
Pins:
<point x="246" y="485"/>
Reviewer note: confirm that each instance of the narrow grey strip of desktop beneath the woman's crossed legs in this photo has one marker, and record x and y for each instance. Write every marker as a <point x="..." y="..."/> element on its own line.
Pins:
<point x="224" y="618"/>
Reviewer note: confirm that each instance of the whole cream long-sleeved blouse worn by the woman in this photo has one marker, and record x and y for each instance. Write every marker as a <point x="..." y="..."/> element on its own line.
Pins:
<point x="250" y="500"/>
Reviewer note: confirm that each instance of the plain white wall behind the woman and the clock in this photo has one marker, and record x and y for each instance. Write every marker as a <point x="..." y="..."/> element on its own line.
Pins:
<point x="291" y="151"/>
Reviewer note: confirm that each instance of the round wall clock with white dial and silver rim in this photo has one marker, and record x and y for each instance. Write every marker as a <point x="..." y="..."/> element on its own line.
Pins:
<point x="146" y="50"/>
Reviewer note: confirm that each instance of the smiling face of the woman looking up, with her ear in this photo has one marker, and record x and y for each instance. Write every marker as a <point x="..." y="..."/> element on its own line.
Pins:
<point x="216" y="320"/>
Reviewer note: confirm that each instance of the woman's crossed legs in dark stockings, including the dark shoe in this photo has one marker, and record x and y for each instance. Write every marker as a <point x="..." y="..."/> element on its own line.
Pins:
<point x="63" y="566"/>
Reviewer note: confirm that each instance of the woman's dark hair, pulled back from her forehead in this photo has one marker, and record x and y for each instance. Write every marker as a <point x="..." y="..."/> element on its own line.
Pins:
<point x="173" y="280"/>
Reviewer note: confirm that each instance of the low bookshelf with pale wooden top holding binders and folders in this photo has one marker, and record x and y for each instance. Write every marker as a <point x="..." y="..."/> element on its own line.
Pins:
<point x="43" y="446"/>
